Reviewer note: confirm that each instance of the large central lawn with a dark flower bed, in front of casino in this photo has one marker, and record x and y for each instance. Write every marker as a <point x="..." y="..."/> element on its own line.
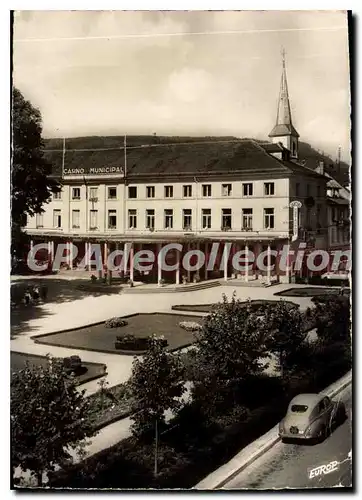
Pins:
<point x="99" y="338"/>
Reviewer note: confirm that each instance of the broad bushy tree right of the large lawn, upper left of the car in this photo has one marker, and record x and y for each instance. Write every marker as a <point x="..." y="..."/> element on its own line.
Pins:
<point x="230" y="346"/>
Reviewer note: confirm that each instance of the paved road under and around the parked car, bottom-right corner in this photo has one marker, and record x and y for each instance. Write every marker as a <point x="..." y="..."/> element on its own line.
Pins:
<point x="288" y="465"/>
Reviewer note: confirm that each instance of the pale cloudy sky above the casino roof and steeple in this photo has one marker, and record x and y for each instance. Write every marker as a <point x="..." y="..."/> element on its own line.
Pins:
<point x="185" y="72"/>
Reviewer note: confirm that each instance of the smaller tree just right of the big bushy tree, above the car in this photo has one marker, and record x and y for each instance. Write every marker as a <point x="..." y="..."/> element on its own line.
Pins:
<point x="286" y="333"/>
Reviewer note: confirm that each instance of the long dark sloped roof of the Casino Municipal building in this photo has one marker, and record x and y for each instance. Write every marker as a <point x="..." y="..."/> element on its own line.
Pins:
<point x="171" y="156"/>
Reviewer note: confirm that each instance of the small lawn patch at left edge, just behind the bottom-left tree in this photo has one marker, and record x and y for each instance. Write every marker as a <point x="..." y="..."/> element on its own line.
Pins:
<point x="90" y="371"/>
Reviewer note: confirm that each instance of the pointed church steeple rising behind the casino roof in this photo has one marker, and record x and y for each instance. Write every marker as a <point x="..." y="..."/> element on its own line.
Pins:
<point x="284" y="130"/>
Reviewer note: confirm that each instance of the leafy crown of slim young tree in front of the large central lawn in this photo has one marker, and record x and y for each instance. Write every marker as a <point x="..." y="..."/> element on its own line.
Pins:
<point x="155" y="386"/>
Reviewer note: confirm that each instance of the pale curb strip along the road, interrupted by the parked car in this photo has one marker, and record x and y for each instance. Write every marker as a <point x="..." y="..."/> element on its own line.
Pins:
<point x="209" y="484"/>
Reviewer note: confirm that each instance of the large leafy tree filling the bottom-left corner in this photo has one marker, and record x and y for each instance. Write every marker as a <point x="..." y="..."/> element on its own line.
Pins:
<point x="48" y="415"/>
